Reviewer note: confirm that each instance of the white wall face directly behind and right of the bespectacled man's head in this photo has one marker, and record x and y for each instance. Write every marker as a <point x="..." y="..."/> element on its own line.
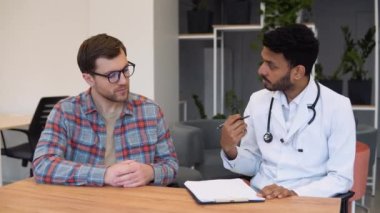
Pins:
<point x="132" y="22"/>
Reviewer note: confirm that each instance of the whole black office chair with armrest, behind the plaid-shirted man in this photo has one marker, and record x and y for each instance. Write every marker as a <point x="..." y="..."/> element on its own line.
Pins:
<point x="25" y="150"/>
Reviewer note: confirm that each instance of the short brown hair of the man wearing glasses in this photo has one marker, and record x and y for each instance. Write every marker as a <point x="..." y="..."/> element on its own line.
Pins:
<point x="98" y="46"/>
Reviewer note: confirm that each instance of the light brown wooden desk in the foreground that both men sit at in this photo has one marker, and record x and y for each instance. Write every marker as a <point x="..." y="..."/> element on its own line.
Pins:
<point x="27" y="196"/>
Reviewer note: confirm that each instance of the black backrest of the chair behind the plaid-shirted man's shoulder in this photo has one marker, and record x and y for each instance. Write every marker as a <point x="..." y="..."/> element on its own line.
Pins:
<point x="44" y="107"/>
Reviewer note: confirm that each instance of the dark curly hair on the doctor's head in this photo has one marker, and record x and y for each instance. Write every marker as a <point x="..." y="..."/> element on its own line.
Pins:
<point x="296" y="42"/>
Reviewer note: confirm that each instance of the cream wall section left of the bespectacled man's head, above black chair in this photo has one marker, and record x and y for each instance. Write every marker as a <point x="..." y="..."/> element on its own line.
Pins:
<point x="39" y="41"/>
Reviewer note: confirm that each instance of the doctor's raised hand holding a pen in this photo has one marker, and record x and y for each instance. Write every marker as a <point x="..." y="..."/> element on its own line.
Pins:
<point x="232" y="131"/>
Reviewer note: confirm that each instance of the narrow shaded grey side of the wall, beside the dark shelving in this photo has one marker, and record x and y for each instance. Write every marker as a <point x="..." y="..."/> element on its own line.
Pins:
<point x="166" y="58"/>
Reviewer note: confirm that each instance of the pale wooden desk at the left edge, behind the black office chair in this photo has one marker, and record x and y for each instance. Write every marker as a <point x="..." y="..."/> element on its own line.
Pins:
<point x="10" y="121"/>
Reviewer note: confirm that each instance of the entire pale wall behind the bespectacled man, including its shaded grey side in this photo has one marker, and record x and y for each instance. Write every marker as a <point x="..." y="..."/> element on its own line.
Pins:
<point x="39" y="40"/>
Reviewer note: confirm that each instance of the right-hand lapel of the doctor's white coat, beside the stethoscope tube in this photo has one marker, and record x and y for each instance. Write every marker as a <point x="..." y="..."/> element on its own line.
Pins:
<point x="303" y="115"/>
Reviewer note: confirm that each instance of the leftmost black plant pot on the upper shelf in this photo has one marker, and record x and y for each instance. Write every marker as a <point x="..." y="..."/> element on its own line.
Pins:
<point x="199" y="18"/>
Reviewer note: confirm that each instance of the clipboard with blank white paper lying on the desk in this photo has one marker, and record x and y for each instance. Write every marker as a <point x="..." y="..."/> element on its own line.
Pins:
<point x="221" y="191"/>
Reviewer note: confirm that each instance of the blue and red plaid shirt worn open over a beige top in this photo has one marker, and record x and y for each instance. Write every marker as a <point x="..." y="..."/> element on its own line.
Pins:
<point x="72" y="146"/>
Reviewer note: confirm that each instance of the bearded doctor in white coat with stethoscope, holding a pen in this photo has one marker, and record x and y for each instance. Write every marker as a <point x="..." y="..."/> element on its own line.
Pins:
<point x="299" y="138"/>
